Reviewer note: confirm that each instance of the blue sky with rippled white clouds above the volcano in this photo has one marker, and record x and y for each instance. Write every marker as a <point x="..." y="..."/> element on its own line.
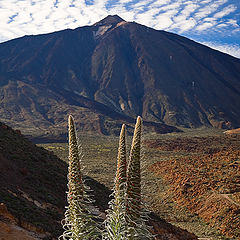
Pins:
<point x="215" y="23"/>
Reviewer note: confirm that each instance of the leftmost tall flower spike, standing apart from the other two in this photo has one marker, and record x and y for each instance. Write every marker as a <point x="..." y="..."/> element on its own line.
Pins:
<point x="79" y="222"/>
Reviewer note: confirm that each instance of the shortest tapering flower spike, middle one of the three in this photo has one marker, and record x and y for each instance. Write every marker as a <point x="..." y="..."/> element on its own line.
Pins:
<point x="115" y="222"/>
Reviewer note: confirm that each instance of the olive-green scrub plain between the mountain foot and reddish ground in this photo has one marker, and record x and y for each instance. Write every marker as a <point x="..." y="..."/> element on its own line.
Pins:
<point x="157" y="194"/>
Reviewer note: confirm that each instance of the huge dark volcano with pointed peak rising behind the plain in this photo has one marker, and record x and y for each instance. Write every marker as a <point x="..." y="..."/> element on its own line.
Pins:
<point x="116" y="70"/>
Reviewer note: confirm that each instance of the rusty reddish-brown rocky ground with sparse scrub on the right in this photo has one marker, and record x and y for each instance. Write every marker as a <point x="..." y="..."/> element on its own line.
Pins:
<point x="206" y="180"/>
